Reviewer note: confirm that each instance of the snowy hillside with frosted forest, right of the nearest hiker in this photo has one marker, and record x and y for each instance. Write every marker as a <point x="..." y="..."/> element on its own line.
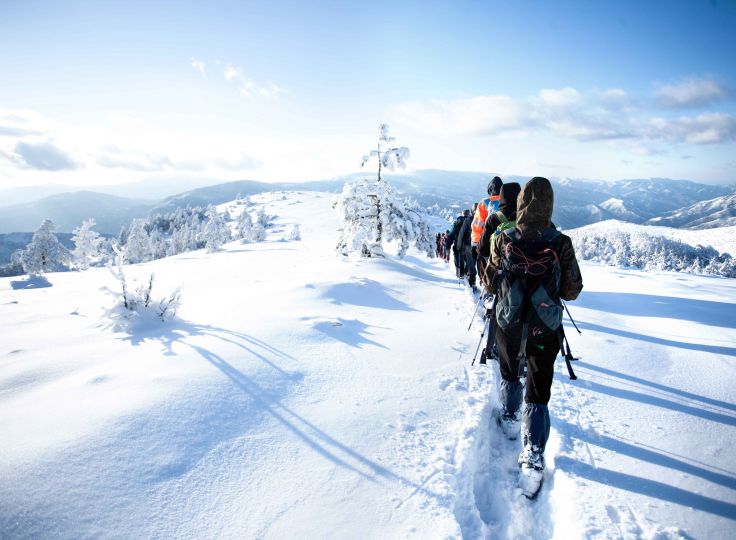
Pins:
<point x="657" y="248"/>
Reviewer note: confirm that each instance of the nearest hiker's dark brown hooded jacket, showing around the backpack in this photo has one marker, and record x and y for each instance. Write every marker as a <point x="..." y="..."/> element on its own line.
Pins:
<point x="533" y="215"/>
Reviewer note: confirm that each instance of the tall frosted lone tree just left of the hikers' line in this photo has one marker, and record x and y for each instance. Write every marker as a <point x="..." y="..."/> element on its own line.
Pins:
<point x="372" y="212"/>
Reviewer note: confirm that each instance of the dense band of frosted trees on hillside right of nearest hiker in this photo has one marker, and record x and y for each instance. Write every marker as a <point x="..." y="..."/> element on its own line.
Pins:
<point x="636" y="248"/>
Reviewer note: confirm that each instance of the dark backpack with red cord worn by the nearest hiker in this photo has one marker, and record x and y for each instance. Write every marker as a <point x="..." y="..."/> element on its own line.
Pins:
<point x="529" y="286"/>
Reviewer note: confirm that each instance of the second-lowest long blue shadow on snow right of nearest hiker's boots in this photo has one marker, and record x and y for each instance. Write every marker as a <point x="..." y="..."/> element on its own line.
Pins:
<point x="639" y="452"/>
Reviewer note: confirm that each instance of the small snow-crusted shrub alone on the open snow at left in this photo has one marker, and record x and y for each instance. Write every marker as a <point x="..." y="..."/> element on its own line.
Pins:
<point x="135" y="306"/>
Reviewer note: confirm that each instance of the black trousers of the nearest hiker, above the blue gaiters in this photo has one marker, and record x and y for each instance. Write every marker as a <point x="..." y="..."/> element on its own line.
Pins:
<point x="541" y="356"/>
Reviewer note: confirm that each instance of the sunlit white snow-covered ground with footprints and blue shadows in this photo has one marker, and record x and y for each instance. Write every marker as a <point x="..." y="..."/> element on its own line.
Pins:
<point x="301" y="396"/>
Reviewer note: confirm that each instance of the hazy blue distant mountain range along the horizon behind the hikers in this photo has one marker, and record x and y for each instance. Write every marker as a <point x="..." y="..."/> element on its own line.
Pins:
<point x="577" y="202"/>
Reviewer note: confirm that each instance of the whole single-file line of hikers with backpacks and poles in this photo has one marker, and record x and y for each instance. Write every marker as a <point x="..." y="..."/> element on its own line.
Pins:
<point x="527" y="269"/>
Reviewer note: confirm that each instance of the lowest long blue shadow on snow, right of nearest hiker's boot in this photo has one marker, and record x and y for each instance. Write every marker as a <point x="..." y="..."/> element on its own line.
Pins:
<point x="650" y="488"/>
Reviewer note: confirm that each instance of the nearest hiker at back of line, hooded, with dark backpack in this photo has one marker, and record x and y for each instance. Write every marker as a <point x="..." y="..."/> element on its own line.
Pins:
<point x="532" y="267"/>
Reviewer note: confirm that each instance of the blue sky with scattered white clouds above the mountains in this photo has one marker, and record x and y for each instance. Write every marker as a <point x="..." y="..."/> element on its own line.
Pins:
<point x="119" y="91"/>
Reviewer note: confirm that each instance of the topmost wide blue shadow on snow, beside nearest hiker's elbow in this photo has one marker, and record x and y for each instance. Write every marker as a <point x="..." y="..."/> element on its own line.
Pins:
<point x="720" y="314"/>
